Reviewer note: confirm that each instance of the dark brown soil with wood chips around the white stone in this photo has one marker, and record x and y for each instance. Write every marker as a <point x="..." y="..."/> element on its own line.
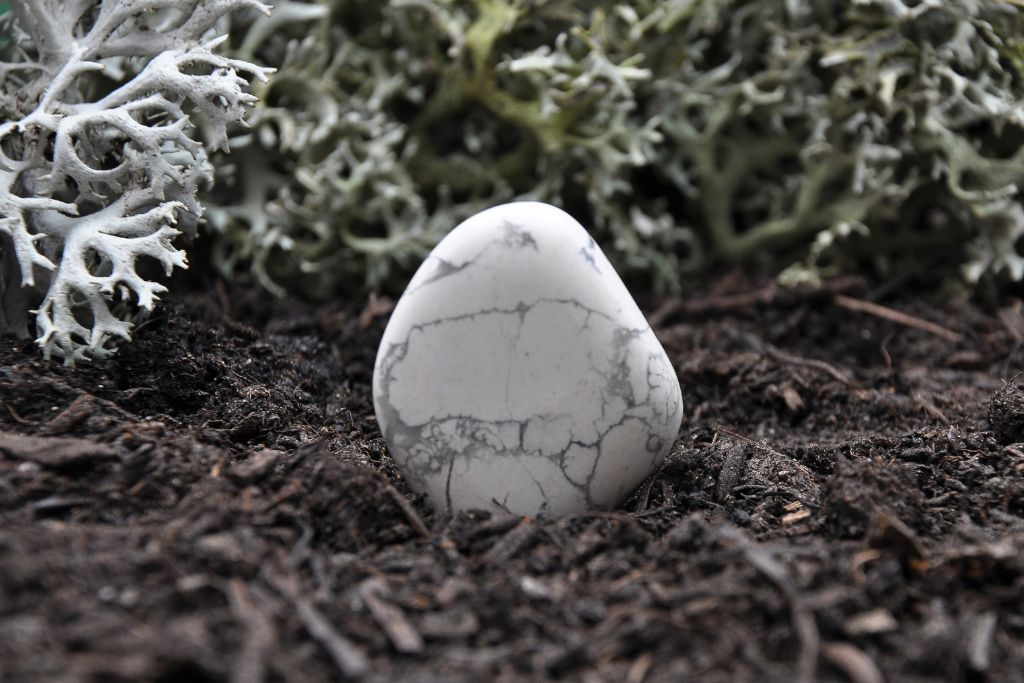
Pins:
<point x="845" y="503"/>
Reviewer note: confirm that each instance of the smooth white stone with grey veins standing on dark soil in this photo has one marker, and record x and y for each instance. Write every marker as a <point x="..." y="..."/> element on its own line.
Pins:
<point x="518" y="374"/>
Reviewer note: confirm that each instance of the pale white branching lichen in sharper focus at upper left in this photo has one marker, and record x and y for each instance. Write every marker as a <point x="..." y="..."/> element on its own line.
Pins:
<point x="101" y="157"/>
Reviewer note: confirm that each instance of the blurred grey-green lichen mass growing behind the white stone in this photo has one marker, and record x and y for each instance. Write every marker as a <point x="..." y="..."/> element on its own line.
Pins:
<point x="805" y="138"/>
